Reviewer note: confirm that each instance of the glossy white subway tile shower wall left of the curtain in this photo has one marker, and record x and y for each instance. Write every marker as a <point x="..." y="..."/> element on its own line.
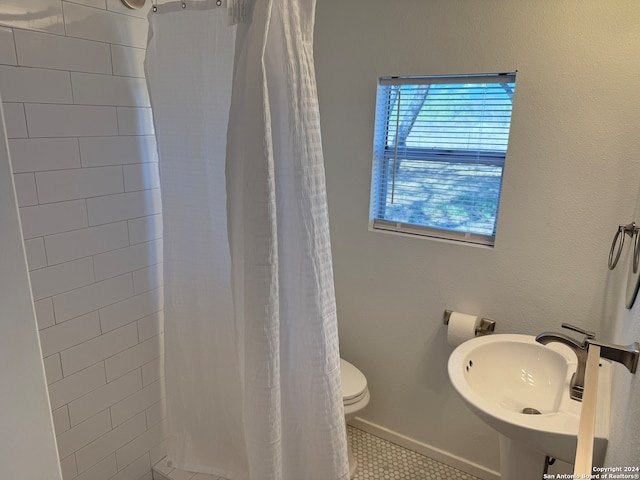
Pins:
<point x="86" y="174"/>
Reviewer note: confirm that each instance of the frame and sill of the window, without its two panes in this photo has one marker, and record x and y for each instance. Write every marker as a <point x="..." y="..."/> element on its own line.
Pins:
<point x="384" y="153"/>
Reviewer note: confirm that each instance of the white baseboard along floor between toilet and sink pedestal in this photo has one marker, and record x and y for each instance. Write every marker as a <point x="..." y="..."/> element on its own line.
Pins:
<point x="426" y="450"/>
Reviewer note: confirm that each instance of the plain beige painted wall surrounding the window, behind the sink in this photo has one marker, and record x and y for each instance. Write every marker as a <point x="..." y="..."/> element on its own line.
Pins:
<point x="571" y="177"/>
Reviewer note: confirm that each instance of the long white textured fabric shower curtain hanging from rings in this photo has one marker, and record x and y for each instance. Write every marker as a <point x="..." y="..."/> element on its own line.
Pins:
<point x="251" y="346"/>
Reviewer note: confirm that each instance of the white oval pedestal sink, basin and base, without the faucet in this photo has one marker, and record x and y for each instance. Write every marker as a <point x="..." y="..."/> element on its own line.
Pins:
<point x="520" y="388"/>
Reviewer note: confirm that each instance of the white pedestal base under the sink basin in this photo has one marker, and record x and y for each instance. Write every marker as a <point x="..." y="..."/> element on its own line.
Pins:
<point x="519" y="461"/>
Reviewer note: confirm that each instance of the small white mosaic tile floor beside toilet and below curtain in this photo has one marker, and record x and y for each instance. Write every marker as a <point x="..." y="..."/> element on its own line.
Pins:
<point x="378" y="459"/>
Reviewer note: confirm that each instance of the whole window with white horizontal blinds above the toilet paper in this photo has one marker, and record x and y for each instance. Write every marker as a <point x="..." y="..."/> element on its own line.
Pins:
<point x="439" y="152"/>
